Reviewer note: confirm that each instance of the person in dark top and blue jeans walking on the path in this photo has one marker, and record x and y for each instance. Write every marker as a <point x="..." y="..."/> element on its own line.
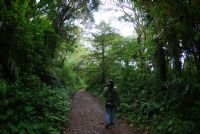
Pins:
<point x="111" y="103"/>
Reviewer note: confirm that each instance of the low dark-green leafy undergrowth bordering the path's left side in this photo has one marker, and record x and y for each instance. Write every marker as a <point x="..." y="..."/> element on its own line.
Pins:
<point x="34" y="107"/>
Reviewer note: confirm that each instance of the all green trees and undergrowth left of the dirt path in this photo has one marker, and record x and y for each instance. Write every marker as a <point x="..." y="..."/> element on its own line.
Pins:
<point x="36" y="82"/>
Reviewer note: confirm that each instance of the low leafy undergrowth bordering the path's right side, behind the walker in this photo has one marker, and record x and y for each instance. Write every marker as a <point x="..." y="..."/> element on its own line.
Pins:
<point x="174" y="110"/>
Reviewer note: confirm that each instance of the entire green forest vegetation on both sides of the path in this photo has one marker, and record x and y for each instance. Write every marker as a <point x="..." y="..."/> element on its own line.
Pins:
<point x="43" y="62"/>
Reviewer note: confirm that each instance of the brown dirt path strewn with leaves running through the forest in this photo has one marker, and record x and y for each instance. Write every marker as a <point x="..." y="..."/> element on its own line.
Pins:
<point x="86" y="117"/>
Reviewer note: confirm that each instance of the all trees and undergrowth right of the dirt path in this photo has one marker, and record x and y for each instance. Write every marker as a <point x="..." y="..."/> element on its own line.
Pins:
<point x="157" y="71"/>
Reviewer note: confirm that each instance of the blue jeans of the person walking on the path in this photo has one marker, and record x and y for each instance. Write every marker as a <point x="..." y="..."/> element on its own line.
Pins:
<point x="110" y="115"/>
